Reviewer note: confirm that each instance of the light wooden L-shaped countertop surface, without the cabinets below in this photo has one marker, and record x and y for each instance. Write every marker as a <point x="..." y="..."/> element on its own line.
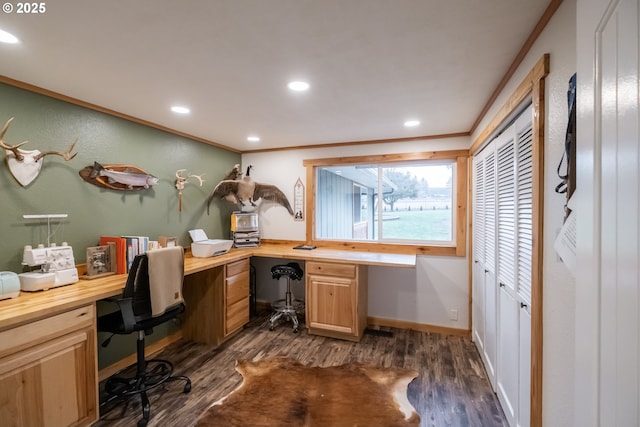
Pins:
<point x="30" y="306"/>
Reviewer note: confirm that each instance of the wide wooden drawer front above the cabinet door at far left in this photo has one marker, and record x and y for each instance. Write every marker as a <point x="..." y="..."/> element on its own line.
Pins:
<point x="39" y="331"/>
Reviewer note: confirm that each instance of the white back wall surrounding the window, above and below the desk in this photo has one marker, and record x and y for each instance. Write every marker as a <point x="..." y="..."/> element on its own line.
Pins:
<point x="422" y="295"/>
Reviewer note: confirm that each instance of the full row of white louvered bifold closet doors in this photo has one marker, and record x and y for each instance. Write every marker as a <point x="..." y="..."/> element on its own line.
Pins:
<point x="503" y="249"/>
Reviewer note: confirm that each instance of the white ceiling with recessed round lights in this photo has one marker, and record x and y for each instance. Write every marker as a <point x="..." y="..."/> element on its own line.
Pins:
<point x="372" y="64"/>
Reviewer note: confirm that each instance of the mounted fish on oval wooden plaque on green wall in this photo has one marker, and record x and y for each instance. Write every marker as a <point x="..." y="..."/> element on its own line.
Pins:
<point x="118" y="177"/>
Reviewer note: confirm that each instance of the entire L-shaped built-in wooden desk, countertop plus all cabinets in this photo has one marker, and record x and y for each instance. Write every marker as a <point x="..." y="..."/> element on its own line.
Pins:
<point x="48" y="339"/>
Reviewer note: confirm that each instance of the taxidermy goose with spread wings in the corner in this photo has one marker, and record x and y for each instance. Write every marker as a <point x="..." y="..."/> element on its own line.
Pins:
<point x="247" y="193"/>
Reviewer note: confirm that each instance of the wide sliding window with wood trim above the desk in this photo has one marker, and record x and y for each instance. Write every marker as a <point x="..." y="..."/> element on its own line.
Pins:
<point x="408" y="203"/>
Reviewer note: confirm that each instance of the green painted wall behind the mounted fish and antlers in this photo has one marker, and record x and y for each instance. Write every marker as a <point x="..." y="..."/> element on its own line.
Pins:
<point x="51" y="124"/>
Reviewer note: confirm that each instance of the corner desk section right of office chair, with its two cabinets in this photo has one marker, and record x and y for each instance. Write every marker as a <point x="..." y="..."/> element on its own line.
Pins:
<point x="336" y="290"/>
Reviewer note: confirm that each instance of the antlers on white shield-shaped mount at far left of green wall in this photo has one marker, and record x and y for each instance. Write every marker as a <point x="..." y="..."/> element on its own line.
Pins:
<point x="25" y="165"/>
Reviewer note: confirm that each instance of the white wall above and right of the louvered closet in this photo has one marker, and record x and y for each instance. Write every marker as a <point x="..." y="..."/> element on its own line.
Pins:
<point x="558" y="39"/>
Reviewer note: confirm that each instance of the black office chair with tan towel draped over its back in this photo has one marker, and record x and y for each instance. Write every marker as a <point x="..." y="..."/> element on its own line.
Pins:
<point x="152" y="295"/>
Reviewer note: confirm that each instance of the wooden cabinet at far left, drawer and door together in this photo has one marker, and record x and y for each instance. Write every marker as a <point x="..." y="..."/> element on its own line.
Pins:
<point x="48" y="371"/>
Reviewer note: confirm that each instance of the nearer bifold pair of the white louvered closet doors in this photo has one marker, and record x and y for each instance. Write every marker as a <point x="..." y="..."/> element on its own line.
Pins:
<point x="514" y="148"/>
